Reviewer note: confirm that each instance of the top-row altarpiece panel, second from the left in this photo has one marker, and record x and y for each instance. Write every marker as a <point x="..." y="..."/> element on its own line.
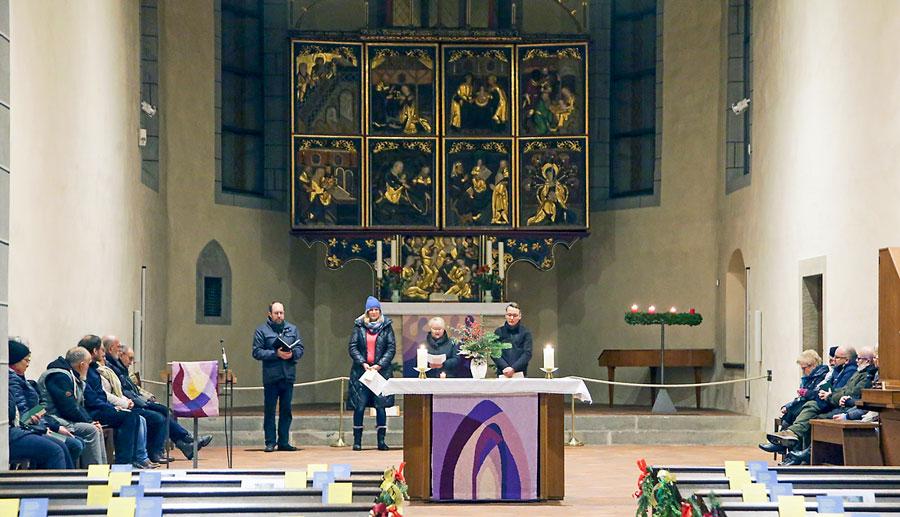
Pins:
<point x="401" y="86"/>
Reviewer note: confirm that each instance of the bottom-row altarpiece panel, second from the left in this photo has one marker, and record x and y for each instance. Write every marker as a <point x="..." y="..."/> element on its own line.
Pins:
<point x="402" y="182"/>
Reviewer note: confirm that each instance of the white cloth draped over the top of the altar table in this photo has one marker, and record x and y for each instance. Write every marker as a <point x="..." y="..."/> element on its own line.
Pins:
<point x="502" y="386"/>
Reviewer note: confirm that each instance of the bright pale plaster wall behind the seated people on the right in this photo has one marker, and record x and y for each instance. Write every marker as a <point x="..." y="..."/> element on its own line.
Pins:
<point x="824" y="180"/>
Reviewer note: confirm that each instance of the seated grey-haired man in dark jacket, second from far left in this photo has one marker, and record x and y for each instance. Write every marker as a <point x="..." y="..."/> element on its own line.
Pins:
<point x="62" y="393"/>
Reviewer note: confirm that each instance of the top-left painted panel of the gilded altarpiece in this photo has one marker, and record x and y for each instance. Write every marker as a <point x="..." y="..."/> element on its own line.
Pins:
<point x="326" y="88"/>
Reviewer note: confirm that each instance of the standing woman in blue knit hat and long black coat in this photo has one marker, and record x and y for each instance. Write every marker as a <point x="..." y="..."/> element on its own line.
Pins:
<point x="372" y="347"/>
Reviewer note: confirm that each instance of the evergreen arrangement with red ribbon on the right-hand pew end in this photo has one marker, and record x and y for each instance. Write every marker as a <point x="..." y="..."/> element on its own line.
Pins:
<point x="658" y="496"/>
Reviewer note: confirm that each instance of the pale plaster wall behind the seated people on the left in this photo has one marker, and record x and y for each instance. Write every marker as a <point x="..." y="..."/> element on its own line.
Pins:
<point x="82" y="222"/>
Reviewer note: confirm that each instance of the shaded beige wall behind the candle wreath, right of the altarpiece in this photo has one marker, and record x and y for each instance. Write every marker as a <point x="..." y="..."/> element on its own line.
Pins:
<point x="664" y="255"/>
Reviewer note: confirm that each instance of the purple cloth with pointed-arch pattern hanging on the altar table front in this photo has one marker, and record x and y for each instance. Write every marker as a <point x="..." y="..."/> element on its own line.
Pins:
<point x="484" y="449"/>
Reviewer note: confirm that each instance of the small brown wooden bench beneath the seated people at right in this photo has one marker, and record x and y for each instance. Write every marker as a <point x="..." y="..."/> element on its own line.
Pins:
<point x="839" y="442"/>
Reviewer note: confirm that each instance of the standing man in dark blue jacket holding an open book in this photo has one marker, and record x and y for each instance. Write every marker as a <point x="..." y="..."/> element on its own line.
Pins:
<point x="278" y="345"/>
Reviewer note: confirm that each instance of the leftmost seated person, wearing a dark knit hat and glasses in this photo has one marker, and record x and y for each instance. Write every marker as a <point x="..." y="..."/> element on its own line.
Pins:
<point x="25" y="398"/>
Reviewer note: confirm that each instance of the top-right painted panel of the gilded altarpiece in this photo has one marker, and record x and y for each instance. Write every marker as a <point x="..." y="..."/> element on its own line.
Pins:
<point x="552" y="89"/>
